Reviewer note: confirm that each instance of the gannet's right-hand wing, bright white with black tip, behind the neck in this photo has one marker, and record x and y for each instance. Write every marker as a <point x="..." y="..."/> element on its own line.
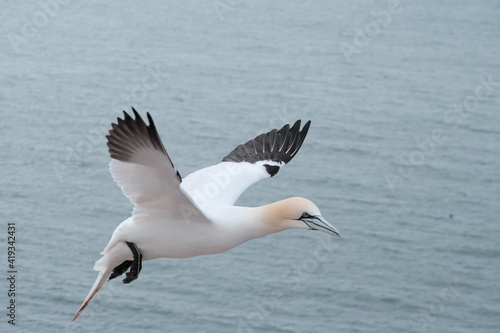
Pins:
<point x="248" y="163"/>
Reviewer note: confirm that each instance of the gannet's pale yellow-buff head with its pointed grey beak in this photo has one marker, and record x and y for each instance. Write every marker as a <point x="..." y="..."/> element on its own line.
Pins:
<point x="297" y="213"/>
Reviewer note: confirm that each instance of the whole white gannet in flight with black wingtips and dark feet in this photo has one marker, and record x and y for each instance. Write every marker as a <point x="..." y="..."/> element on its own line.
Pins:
<point x="179" y="218"/>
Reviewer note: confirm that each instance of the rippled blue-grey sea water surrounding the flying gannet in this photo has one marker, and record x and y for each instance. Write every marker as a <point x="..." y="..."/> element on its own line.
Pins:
<point x="402" y="157"/>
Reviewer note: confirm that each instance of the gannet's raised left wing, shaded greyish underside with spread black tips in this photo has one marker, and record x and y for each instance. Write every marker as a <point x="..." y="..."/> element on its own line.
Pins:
<point x="143" y="170"/>
